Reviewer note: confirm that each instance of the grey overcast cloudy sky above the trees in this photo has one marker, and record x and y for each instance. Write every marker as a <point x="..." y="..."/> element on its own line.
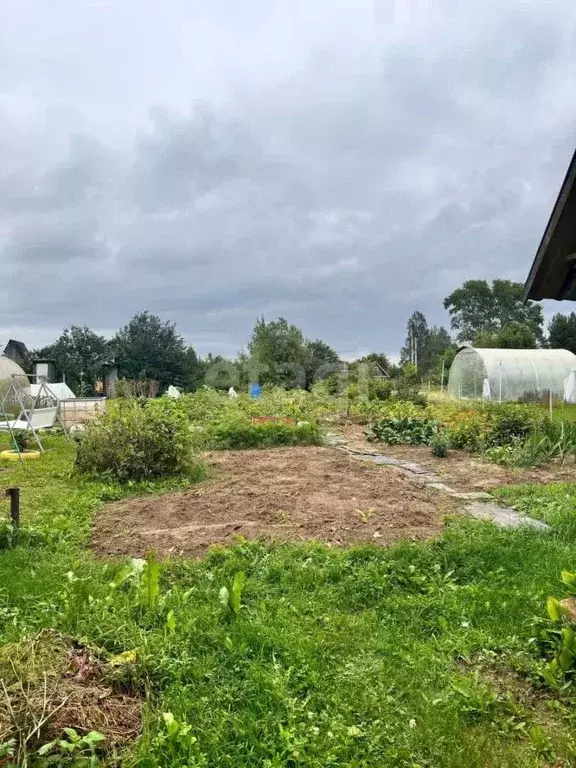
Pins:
<point x="337" y="162"/>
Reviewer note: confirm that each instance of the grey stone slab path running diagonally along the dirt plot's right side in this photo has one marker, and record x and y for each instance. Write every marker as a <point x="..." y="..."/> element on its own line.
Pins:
<point x="483" y="506"/>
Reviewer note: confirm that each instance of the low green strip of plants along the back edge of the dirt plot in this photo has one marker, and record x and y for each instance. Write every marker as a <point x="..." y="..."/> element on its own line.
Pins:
<point x="235" y="436"/>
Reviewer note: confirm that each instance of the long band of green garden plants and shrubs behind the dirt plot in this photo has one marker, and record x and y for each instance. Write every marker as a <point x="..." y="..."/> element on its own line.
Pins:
<point x="139" y="439"/>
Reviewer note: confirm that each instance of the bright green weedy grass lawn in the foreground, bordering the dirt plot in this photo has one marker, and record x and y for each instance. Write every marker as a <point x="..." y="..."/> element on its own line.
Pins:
<point x="419" y="656"/>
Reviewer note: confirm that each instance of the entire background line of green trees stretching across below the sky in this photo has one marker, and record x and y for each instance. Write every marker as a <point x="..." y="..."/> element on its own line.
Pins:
<point x="148" y="348"/>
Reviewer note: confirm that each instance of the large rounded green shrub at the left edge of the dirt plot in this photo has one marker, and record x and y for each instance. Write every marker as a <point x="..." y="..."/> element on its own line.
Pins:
<point x="136" y="441"/>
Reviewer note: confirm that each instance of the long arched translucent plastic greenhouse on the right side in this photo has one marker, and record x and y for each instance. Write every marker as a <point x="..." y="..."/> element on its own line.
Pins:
<point x="508" y="374"/>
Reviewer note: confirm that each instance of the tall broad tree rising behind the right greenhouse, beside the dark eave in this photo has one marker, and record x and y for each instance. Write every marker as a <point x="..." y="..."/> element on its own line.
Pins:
<point x="478" y="307"/>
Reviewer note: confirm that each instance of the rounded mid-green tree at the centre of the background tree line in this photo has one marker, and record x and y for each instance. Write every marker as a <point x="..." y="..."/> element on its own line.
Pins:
<point x="278" y="354"/>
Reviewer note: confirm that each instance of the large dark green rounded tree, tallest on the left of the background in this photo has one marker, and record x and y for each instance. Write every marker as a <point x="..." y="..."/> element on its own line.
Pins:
<point x="151" y="348"/>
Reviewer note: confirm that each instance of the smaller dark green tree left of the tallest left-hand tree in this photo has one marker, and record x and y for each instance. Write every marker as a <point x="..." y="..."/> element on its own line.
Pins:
<point x="79" y="355"/>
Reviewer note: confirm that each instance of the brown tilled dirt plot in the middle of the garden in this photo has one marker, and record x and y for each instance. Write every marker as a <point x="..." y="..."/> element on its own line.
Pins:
<point x="293" y="494"/>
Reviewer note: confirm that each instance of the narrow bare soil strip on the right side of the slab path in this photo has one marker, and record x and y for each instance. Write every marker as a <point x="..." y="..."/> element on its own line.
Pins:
<point x="461" y="470"/>
